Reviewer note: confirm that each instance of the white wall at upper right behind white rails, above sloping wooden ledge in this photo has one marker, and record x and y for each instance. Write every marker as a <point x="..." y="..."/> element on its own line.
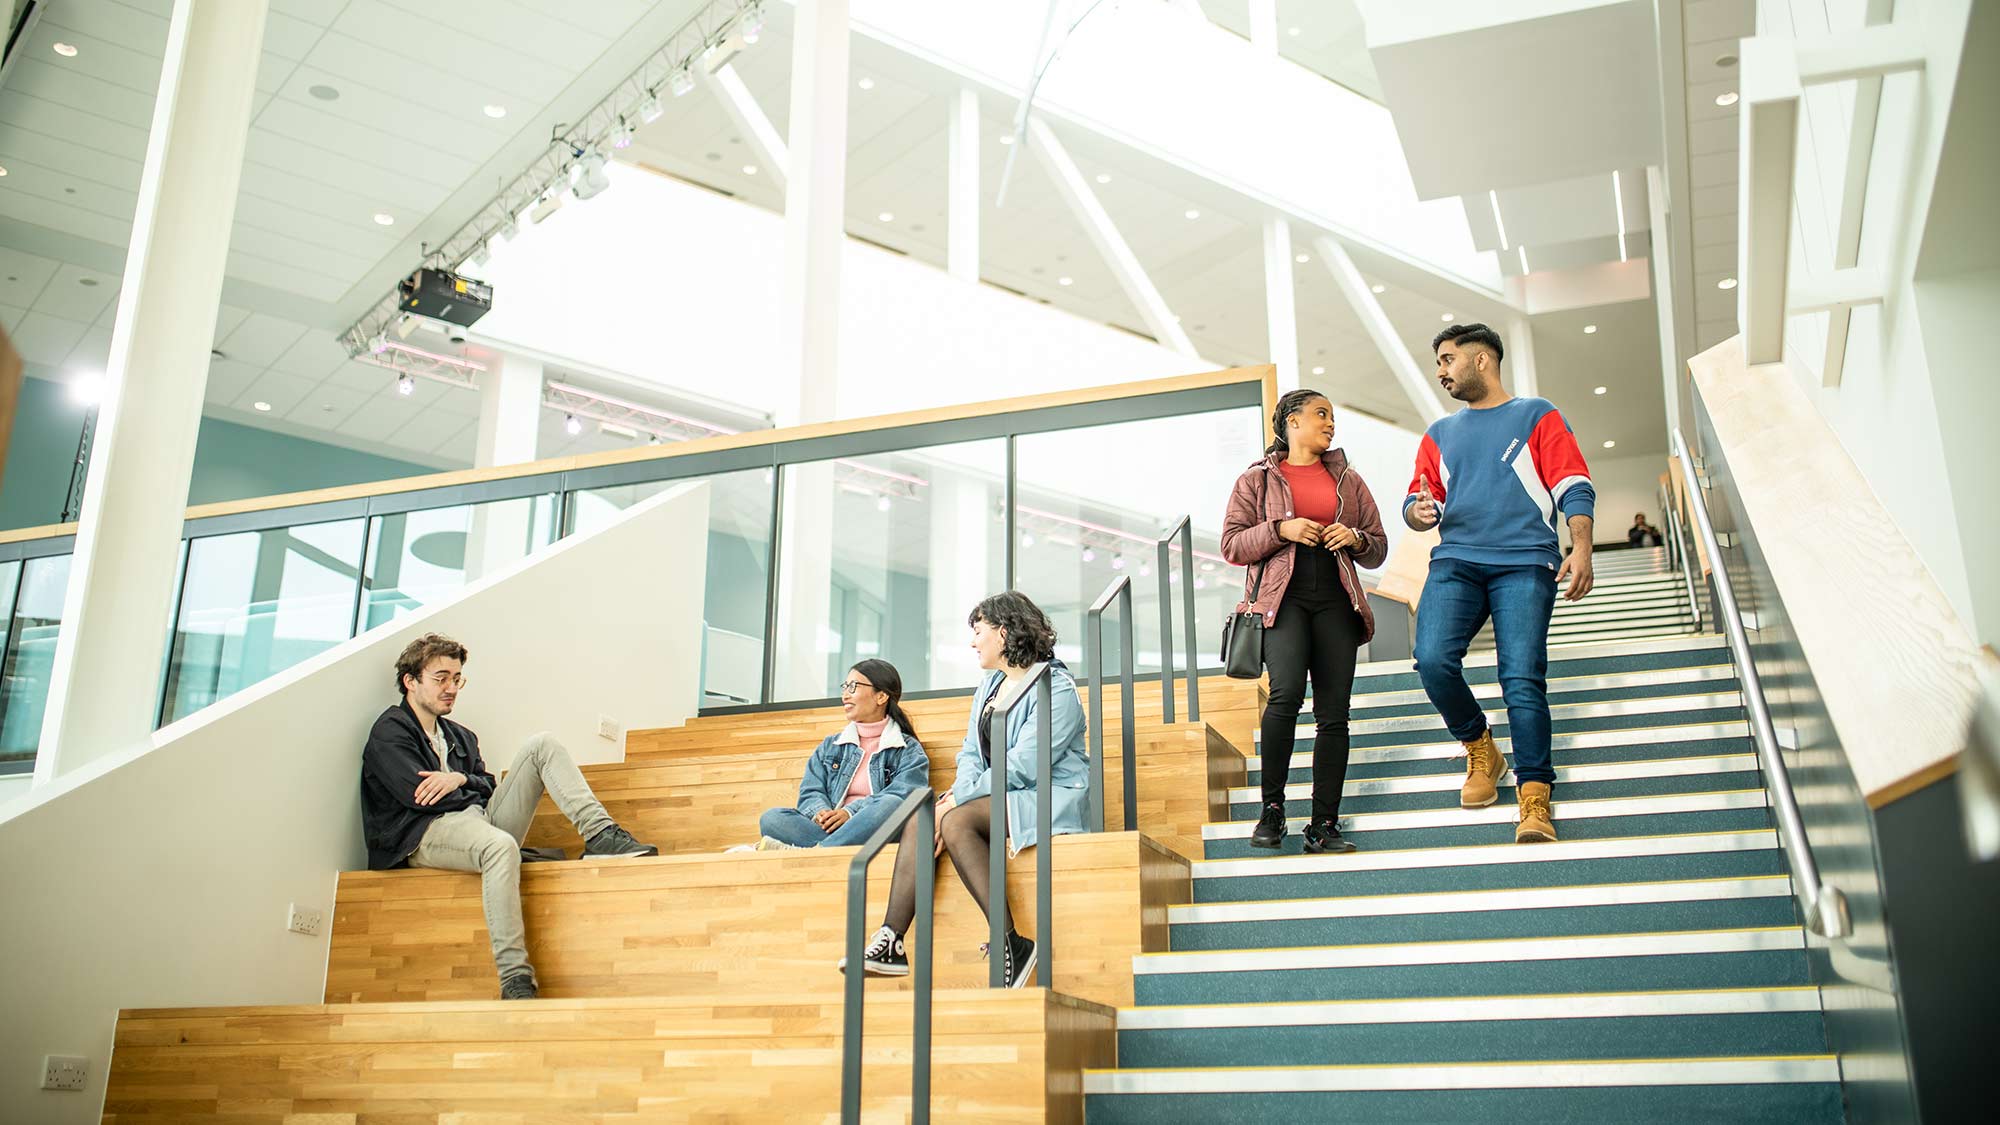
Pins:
<point x="1885" y="409"/>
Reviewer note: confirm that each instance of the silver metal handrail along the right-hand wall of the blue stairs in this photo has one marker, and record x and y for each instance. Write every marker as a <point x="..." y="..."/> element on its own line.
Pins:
<point x="1825" y="906"/>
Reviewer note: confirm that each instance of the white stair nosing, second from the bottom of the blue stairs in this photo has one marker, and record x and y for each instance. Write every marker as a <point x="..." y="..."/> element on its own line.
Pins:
<point x="1473" y="1010"/>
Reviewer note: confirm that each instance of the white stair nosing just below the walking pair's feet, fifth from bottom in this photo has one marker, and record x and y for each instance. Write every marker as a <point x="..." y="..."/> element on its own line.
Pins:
<point x="1481" y="856"/>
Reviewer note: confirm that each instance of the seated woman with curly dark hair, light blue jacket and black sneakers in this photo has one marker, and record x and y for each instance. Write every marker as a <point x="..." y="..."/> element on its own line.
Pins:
<point x="1011" y="636"/>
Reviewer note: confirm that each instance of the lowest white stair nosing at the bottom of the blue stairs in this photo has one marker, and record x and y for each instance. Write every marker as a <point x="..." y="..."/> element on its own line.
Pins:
<point x="1777" y="1070"/>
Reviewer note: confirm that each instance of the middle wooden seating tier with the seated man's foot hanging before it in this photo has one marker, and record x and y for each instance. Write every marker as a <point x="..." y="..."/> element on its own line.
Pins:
<point x="733" y="924"/>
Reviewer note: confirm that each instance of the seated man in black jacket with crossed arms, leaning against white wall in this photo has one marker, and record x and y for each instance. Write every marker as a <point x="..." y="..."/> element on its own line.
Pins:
<point x="429" y="802"/>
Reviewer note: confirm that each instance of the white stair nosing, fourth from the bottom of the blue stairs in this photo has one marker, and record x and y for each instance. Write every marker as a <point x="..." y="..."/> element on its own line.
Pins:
<point x="1487" y="902"/>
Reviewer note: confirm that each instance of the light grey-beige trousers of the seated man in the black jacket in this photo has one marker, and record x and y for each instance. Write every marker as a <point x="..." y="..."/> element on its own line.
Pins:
<point x="489" y="840"/>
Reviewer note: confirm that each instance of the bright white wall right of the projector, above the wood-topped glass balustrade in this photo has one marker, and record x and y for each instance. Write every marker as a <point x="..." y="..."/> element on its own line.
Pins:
<point x="679" y="285"/>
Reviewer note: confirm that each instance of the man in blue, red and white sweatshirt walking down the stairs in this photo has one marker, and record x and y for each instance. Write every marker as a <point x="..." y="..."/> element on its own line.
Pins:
<point x="1493" y="479"/>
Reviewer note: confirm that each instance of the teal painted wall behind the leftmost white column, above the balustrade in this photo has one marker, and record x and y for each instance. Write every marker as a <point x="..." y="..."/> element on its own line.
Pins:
<point x="231" y="461"/>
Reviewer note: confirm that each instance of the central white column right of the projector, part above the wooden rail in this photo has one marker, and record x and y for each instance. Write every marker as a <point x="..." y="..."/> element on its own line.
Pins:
<point x="815" y="213"/>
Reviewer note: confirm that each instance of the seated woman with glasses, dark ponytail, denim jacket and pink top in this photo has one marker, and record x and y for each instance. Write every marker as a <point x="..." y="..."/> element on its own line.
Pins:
<point x="855" y="780"/>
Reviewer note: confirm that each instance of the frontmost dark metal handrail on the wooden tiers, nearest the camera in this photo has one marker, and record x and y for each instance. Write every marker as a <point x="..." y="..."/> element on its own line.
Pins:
<point x="925" y="808"/>
